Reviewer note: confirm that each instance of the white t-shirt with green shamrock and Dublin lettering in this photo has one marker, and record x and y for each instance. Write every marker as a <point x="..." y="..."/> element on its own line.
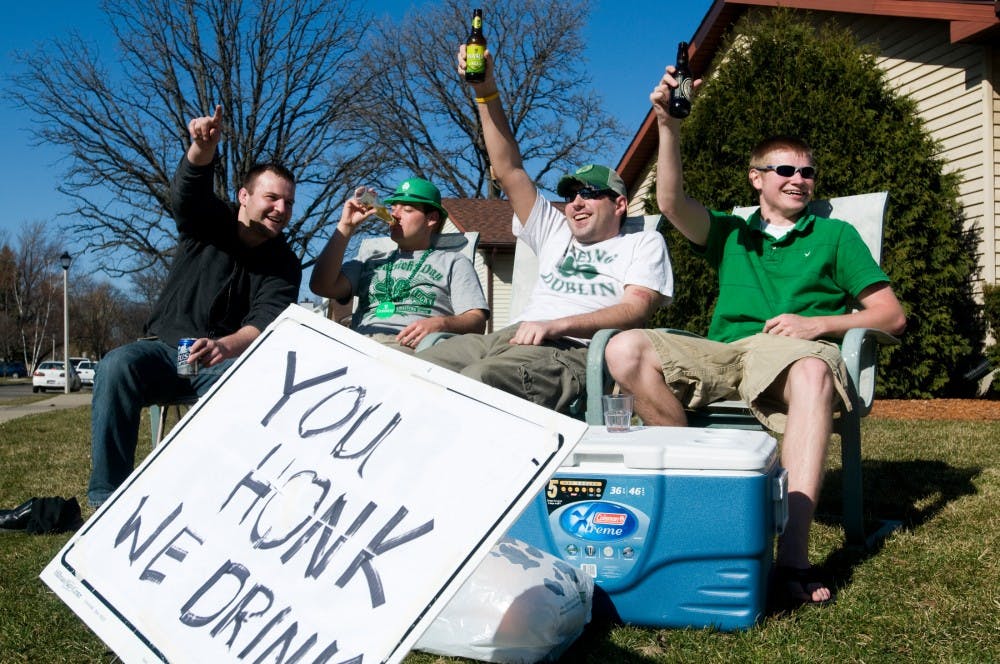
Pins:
<point x="574" y="278"/>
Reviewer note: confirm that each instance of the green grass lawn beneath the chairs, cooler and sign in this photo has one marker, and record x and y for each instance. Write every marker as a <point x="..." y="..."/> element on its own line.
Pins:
<point x="929" y="593"/>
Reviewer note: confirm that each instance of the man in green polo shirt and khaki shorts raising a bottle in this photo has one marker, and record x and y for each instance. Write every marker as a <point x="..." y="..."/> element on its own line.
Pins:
<point x="788" y="283"/>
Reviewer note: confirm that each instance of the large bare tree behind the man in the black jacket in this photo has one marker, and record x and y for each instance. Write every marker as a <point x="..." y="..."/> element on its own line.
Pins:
<point x="285" y="71"/>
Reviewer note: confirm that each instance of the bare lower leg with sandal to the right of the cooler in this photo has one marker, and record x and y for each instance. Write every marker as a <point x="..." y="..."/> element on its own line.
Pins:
<point x="808" y="391"/>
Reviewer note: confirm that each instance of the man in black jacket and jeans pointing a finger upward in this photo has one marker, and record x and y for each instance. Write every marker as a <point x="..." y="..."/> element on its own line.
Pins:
<point x="232" y="274"/>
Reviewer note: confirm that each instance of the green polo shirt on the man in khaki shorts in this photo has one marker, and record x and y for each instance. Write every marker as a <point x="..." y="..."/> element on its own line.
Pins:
<point x="817" y="269"/>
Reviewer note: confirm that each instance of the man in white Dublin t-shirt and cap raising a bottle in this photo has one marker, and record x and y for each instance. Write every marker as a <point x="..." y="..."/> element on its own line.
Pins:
<point x="591" y="276"/>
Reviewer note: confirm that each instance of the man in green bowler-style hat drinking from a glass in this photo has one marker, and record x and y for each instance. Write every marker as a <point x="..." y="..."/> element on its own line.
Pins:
<point x="409" y="292"/>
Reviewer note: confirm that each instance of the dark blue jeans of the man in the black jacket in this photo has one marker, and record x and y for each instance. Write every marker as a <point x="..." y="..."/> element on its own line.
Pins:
<point x="128" y="379"/>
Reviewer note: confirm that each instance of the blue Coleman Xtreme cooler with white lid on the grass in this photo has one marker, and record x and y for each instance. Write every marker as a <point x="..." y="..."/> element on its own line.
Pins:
<point x="675" y="524"/>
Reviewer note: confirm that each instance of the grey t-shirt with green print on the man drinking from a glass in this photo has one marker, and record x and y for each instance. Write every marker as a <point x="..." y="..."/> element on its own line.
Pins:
<point x="397" y="288"/>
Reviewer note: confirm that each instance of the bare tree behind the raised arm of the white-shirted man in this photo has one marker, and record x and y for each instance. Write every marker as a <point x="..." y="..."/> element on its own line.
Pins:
<point x="427" y="115"/>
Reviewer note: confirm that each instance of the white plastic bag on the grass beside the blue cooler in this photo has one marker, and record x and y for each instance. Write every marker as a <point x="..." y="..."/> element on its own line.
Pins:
<point x="521" y="605"/>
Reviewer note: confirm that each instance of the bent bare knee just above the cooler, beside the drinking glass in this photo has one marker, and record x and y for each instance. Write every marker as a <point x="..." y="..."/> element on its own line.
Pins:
<point x="634" y="364"/>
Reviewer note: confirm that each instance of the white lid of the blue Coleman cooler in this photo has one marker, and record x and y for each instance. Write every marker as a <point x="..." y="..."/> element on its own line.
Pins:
<point x="676" y="448"/>
